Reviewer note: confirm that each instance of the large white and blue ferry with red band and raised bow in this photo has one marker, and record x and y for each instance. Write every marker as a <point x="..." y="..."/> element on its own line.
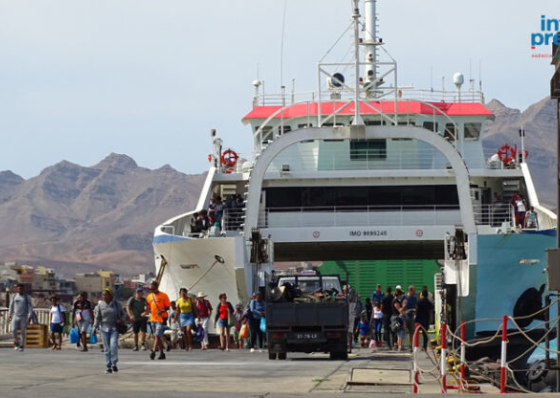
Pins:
<point x="365" y="169"/>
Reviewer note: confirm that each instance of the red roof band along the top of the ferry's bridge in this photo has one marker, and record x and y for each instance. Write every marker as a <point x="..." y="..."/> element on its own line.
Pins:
<point x="388" y="107"/>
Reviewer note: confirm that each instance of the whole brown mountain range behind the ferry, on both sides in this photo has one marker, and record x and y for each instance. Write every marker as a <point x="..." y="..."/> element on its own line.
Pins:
<point x="78" y="219"/>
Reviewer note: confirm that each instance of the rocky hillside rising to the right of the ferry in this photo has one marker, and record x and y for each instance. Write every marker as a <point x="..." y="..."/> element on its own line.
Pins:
<point x="539" y="123"/>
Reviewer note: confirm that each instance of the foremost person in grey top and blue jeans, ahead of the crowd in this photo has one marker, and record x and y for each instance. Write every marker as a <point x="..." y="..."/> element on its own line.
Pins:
<point x="108" y="313"/>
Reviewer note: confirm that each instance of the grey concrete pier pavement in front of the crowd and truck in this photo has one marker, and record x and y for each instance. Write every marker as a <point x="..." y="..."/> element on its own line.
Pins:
<point x="213" y="373"/>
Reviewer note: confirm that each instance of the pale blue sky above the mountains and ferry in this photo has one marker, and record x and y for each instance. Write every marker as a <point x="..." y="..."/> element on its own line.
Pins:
<point x="82" y="79"/>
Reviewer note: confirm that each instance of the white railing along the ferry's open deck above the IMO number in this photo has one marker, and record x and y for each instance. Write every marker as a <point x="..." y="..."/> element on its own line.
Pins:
<point x="386" y="215"/>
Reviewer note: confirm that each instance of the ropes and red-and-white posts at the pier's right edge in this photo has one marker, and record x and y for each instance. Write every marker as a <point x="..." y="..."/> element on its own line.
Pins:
<point x="456" y="355"/>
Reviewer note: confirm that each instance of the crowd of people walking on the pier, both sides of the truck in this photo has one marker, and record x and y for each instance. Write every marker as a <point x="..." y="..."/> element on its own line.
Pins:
<point x="386" y="318"/>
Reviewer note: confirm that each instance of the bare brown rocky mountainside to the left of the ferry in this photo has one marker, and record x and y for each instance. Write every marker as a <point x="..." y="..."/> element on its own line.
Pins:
<point x="76" y="218"/>
